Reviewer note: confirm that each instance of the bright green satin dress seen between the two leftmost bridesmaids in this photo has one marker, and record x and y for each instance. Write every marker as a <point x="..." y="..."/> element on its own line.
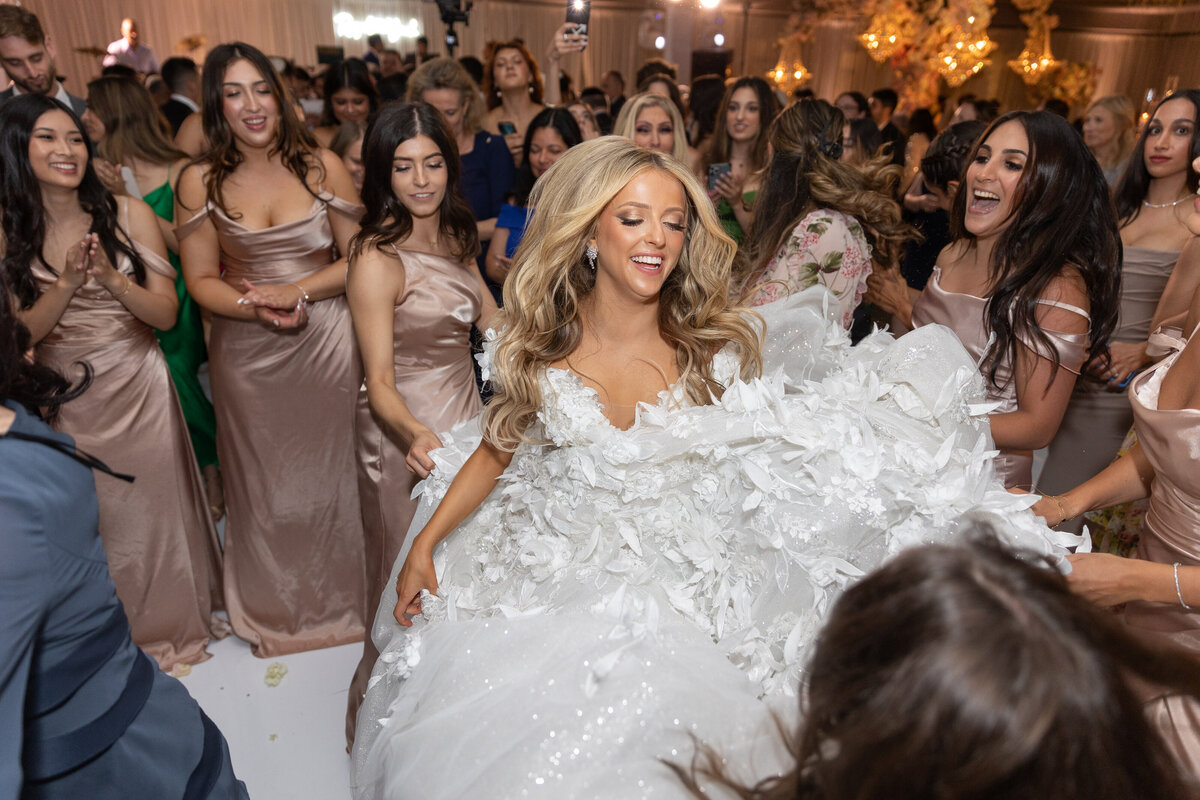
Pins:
<point x="184" y="348"/>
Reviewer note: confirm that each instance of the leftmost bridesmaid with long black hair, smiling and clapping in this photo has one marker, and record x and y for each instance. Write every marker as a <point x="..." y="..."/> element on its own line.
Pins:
<point x="98" y="308"/>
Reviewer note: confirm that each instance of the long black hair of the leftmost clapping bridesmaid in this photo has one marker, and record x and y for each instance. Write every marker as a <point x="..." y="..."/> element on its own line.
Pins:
<point x="21" y="197"/>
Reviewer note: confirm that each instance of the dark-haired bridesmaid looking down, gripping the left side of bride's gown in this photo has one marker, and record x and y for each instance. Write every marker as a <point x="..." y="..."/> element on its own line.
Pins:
<point x="415" y="293"/>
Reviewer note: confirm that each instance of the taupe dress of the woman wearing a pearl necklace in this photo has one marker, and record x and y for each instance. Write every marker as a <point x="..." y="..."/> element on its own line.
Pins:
<point x="1100" y="416"/>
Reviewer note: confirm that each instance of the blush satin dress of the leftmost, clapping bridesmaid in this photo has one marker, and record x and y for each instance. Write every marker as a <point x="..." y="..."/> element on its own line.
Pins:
<point x="161" y="545"/>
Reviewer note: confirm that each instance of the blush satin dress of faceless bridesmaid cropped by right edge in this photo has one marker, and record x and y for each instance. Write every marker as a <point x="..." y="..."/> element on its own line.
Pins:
<point x="1172" y="442"/>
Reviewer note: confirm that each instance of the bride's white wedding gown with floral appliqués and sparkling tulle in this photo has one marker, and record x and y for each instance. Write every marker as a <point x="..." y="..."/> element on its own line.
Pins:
<point x="625" y="594"/>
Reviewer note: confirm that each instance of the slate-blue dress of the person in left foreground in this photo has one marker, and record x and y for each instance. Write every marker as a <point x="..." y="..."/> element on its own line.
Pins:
<point x="83" y="713"/>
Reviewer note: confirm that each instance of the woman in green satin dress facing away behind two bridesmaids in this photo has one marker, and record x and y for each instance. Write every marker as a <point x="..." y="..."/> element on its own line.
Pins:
<point x="129" y="133"/>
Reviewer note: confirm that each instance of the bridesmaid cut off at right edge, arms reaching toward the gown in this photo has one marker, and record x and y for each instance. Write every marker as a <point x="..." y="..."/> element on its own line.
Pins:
<point x="1161" y="587"/>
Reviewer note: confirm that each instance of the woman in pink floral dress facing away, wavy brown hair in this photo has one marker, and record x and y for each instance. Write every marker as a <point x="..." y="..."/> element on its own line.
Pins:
<point x="818" y="220"/>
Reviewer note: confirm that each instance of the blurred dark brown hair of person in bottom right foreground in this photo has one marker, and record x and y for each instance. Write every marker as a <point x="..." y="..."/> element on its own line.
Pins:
<point x="973" y="673"/>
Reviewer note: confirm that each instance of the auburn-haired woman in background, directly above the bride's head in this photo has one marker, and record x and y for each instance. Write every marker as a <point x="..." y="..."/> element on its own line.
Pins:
<point x="513" y="91"/>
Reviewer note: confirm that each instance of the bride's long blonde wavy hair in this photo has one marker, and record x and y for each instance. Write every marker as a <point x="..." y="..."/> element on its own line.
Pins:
<point x="550" y="280"/>
